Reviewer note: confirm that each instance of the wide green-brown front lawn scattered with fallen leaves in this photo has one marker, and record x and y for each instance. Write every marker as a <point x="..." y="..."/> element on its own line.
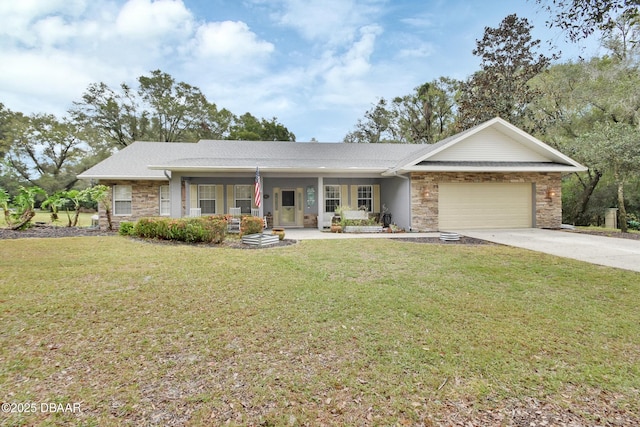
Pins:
<point x="346" y="332"/>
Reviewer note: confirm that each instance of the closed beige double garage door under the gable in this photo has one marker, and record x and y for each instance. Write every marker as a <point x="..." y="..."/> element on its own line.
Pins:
<point x="484" y="205"/>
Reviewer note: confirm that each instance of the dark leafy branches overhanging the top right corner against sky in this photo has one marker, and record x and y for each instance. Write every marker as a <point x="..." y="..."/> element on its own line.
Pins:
<point x="580" y="18"/>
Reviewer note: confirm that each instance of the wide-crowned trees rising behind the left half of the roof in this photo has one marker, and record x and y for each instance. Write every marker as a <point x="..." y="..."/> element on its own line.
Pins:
<point x="162" y="109"/>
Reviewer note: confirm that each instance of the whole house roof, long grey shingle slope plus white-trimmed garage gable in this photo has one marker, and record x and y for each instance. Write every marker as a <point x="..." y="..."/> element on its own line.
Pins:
<point x="150" y="160"/>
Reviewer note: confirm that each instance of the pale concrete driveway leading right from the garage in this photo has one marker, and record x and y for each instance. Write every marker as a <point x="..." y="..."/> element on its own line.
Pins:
<point x="609" y="251"/>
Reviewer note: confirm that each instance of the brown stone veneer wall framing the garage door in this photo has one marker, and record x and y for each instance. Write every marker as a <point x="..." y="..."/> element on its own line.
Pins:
<point x="424" y="195"/>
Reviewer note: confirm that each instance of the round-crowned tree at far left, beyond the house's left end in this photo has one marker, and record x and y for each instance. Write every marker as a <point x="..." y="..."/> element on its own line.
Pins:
<point x="44" y="151"/>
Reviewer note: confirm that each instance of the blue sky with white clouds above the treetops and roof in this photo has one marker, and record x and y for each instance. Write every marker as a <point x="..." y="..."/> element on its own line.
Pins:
<point x="315" y="65"/>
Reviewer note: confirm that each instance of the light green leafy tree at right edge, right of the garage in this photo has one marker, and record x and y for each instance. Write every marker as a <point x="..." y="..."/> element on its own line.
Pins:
<point x="578" y="98"/>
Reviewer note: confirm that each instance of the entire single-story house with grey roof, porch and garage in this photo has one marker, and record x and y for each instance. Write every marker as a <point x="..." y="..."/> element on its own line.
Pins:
<point x="493" y="175"/>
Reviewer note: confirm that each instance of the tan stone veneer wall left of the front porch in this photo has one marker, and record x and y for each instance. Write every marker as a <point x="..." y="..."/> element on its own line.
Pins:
<point x="145" y="201"/>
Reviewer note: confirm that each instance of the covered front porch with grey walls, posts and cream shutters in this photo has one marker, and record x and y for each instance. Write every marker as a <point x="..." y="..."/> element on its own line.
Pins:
<point x="290" y="201"/>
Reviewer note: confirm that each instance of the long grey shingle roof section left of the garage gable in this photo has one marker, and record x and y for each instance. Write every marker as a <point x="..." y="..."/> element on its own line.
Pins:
<point x="148" y="160"/>
